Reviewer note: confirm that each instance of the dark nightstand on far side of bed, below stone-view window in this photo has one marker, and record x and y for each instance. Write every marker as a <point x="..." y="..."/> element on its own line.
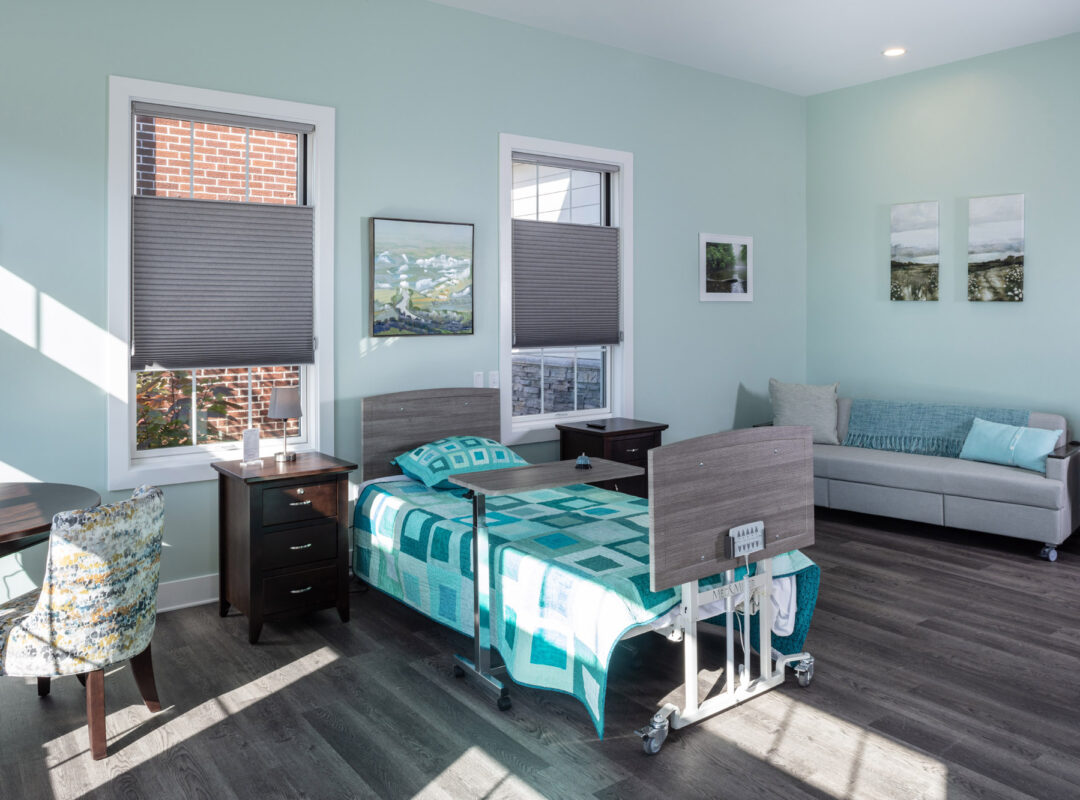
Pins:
<point x="620" y="440"/>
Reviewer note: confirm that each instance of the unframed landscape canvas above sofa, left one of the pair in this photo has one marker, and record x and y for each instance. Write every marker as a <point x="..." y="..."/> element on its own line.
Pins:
<point x="914" y="252"/>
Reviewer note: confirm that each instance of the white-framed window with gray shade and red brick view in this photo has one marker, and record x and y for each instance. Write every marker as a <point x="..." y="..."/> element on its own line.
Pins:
<point x="224" y="277"/>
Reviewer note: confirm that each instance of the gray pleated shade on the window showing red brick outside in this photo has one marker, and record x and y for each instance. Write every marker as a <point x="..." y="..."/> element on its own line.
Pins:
<point x="219" y="284"/>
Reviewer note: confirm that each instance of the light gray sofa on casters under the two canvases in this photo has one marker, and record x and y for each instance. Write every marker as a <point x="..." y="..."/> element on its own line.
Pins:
<point x="954" y="493"/>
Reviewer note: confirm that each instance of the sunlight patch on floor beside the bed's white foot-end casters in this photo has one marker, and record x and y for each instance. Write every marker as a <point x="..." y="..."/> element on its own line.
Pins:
<point x="832" y="755"/>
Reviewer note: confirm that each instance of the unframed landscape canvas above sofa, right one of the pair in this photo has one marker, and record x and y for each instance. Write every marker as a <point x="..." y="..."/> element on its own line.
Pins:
<point x="996" y="249"/>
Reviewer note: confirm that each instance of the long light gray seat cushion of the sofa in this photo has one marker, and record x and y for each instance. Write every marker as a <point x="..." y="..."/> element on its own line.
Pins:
<point x="938" y="474"/>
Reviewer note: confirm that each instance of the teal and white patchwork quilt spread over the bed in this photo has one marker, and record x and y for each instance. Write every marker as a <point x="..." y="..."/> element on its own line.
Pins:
<point x="571" y="575"/>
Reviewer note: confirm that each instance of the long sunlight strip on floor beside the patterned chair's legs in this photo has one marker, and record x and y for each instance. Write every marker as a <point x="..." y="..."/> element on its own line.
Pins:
<point x="129" y="749"/>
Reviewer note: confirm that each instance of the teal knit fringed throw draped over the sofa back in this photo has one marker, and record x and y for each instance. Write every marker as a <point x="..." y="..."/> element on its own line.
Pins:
<point x="928" y="429"/>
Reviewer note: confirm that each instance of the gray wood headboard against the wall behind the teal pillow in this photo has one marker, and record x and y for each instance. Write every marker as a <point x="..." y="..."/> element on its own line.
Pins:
<point x="394" y="424"/>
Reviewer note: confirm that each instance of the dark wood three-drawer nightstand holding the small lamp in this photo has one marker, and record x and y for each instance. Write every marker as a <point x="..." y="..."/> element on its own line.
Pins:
<point x="283" y="537"/>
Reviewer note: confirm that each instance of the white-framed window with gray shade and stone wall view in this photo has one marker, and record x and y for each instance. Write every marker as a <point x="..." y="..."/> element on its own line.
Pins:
<point x="566" y="279"/>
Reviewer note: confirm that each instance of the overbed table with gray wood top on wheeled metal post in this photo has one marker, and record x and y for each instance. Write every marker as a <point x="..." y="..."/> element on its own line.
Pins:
<point x="512" y="481"/>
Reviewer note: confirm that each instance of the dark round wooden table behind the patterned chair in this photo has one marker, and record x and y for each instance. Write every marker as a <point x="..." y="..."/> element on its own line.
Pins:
<point x="28" y="510"/>
